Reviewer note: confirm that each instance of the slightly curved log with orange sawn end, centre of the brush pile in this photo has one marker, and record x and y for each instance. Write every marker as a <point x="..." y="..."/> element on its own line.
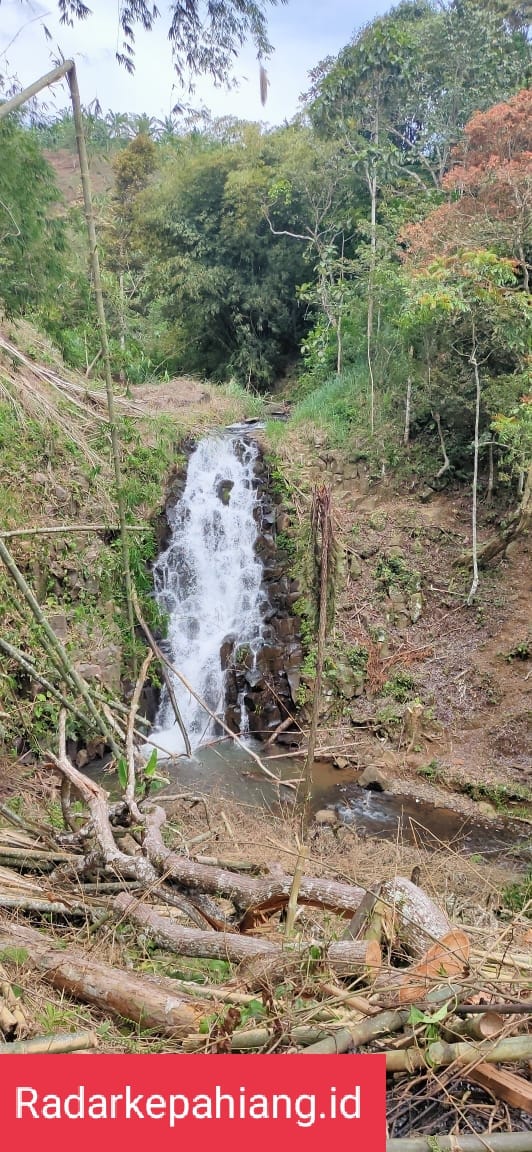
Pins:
<point x="267" y="961"/>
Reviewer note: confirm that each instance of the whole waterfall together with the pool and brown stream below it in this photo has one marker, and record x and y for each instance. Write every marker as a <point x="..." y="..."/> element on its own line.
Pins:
<point x="210" y="583"/>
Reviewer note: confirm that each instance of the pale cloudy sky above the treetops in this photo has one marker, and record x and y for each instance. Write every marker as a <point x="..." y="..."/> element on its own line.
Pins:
<point x="302" y="33"/>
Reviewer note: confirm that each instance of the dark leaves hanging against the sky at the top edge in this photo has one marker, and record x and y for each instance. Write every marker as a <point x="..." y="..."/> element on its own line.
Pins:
<point x="204" y="37"/>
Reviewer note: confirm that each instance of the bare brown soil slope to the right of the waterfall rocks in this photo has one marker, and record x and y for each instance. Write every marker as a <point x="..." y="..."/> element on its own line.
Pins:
<point x="472" y="665"/>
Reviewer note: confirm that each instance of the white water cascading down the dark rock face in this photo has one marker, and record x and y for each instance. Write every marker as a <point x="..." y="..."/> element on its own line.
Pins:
<point x="209" y="582"/>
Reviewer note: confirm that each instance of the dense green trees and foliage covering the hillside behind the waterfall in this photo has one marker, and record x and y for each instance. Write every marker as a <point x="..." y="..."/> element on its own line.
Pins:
<point x="374" y="247"/>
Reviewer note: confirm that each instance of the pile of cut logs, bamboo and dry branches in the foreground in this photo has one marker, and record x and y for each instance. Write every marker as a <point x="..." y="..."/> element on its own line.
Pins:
<point x="311" y="964"/>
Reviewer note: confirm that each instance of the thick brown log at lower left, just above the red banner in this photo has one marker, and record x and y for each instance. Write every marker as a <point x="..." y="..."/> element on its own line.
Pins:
<point x="112" y="990"/>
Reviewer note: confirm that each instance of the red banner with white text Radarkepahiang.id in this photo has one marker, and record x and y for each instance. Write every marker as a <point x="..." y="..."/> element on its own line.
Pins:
<point x="80" y="1104"/>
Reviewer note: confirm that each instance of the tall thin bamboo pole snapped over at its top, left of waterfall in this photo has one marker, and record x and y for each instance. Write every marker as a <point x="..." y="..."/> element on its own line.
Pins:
<point x="69" y="70"/>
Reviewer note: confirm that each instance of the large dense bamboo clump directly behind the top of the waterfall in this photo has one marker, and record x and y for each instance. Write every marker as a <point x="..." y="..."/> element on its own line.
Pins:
<point x="223" y="283"/>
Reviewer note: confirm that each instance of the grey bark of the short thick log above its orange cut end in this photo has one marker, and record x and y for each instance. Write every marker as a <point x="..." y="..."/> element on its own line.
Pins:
<point x="413" y="919"/>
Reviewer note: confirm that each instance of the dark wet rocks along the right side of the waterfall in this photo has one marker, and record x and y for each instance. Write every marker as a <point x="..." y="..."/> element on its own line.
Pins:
<point x="262" y="689"/>
